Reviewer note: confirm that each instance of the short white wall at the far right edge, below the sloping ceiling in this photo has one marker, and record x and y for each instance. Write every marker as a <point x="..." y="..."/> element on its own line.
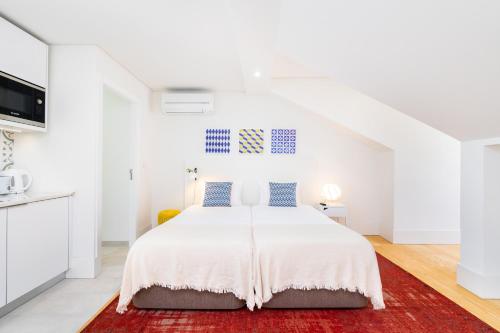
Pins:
<point x="479" y="267"/>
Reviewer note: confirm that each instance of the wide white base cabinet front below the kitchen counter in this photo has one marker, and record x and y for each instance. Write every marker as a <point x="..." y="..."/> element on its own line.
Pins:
<point x="37" y="244"/>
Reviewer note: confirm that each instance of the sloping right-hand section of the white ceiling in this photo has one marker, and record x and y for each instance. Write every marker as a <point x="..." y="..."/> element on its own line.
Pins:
<point x="435" y="60"/>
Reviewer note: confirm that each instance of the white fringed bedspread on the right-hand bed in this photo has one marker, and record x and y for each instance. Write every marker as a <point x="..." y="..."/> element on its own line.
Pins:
<point x="300" y="248"/>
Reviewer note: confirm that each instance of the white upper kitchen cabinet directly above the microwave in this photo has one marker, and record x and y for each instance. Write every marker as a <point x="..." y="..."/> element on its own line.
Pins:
<point x="23" y="55"/>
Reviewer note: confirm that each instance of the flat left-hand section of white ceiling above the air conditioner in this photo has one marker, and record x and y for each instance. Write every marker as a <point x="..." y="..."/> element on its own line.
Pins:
<point x="164" y="43"/>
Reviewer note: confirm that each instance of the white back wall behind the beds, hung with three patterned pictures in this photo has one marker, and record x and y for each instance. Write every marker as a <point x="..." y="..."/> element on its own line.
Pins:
<point x="325" y="153"/>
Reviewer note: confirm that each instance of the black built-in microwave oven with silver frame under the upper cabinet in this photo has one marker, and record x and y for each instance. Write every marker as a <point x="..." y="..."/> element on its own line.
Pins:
<point x="21" y="101"/>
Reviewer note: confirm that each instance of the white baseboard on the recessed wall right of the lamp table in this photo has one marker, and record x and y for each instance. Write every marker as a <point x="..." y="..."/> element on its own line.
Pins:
<point x="426" y="237"/>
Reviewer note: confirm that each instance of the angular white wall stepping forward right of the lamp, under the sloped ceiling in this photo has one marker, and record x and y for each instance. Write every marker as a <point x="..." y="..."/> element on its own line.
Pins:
<point x="426" y="161"/>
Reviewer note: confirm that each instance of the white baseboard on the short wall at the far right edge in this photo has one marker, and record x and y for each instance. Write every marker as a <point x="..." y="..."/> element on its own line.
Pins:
<point x="484" y="286"/>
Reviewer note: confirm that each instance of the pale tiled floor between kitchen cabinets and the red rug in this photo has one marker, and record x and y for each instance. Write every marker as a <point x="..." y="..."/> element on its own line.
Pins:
<point x="69" y="304"/>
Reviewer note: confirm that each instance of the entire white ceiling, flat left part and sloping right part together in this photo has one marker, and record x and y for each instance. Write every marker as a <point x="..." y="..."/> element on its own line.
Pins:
<point x="435" y="60"/>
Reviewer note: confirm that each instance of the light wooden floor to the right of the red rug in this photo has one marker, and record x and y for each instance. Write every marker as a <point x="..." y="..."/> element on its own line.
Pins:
<point x="436" y="266"/>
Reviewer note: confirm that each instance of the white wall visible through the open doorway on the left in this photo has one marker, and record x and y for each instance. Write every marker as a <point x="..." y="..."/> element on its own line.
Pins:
<point x="116" y="166"/>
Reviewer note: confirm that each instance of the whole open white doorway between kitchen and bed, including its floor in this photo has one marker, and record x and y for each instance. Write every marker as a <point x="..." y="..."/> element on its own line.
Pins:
<point x="118" y="214"/>
